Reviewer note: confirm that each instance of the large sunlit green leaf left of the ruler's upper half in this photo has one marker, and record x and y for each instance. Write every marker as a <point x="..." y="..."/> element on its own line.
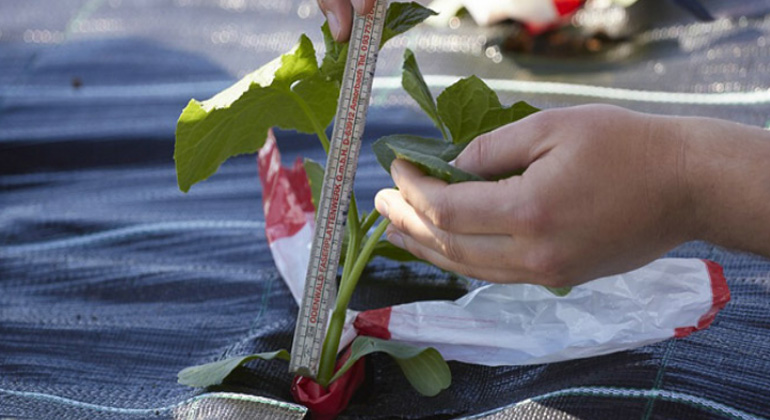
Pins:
<point x="288" y="92"/>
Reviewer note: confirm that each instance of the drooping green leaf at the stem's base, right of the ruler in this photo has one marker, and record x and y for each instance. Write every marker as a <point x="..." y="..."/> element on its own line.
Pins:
<point x="423" y="367"/>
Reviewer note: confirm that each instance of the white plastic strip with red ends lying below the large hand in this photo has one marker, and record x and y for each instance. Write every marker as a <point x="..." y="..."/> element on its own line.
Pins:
<point x="521" y="324"/>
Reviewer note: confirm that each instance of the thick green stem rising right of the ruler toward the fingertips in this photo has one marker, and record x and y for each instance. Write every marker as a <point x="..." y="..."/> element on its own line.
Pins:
<point x="347" y="286"/>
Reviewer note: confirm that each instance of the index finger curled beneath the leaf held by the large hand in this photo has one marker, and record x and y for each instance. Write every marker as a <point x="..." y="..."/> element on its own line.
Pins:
<point x="467" y="208"/>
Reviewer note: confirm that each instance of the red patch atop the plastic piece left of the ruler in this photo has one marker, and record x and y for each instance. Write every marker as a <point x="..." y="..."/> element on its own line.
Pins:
<point x="286" y="194"/>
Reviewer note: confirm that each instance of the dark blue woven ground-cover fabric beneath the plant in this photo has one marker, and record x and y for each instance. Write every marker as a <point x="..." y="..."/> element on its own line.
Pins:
<point x="111" y="280"/>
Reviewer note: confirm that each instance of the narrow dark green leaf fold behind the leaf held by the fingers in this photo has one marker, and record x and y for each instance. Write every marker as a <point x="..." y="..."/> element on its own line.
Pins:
<point x="426" y="145"/>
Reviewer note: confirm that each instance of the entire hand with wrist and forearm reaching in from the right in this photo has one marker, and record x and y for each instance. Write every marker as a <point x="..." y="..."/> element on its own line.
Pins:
<point x="605" y="191"/>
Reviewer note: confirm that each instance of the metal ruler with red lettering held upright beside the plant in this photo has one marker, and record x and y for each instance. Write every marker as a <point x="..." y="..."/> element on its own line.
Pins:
<point x="319" y="293"/>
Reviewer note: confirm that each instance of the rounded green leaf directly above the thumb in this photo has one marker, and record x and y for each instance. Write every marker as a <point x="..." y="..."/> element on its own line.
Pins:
<point x="470" y="108"/>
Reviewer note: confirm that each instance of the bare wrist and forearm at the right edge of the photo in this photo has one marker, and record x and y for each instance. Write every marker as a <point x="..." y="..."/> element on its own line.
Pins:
<point x="728" y="178"/>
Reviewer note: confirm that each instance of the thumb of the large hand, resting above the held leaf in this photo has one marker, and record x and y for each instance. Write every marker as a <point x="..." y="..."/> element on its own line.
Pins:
<point x="507" y="149"/>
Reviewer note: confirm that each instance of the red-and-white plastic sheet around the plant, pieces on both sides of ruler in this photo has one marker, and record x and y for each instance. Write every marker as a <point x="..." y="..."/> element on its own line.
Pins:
<point x="507" y="324"/>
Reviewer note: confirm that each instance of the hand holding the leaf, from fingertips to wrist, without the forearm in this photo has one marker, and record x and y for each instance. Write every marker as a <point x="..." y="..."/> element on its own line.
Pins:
<point x="605" y="191"/>
